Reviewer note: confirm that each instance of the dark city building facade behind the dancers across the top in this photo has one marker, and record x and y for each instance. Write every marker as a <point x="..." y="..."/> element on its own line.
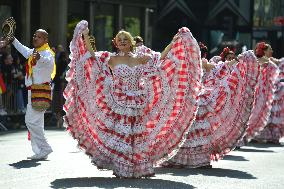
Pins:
<point x="214" y="22"/>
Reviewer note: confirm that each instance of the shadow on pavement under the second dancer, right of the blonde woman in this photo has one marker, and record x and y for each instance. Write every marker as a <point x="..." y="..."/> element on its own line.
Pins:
<point x="216" y="172"/>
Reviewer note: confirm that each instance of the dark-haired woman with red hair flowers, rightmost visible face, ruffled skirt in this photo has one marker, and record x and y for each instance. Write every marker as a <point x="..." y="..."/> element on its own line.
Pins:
<point x="264" y="92"/>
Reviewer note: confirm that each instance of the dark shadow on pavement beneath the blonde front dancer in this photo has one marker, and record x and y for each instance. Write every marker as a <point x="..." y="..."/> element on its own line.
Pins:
<point x="103" y="182"/>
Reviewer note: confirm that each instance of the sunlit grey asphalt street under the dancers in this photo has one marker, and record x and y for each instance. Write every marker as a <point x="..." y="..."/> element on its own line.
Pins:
<point x="257" y="166"/>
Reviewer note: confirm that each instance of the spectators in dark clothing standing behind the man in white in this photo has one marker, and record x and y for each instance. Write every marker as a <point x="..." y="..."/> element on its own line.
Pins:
<point x="13" y="93"/>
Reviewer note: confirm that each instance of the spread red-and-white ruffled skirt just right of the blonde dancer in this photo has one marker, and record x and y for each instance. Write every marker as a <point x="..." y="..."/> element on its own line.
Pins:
<point x="224" y="108"/>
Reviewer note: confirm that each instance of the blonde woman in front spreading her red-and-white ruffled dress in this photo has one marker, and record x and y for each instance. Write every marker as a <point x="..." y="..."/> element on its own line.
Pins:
<point x="127" y="111"/>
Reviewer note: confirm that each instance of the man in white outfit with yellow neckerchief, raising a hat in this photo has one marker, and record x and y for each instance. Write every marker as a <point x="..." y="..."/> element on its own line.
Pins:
<point x="39" y="71"/>
